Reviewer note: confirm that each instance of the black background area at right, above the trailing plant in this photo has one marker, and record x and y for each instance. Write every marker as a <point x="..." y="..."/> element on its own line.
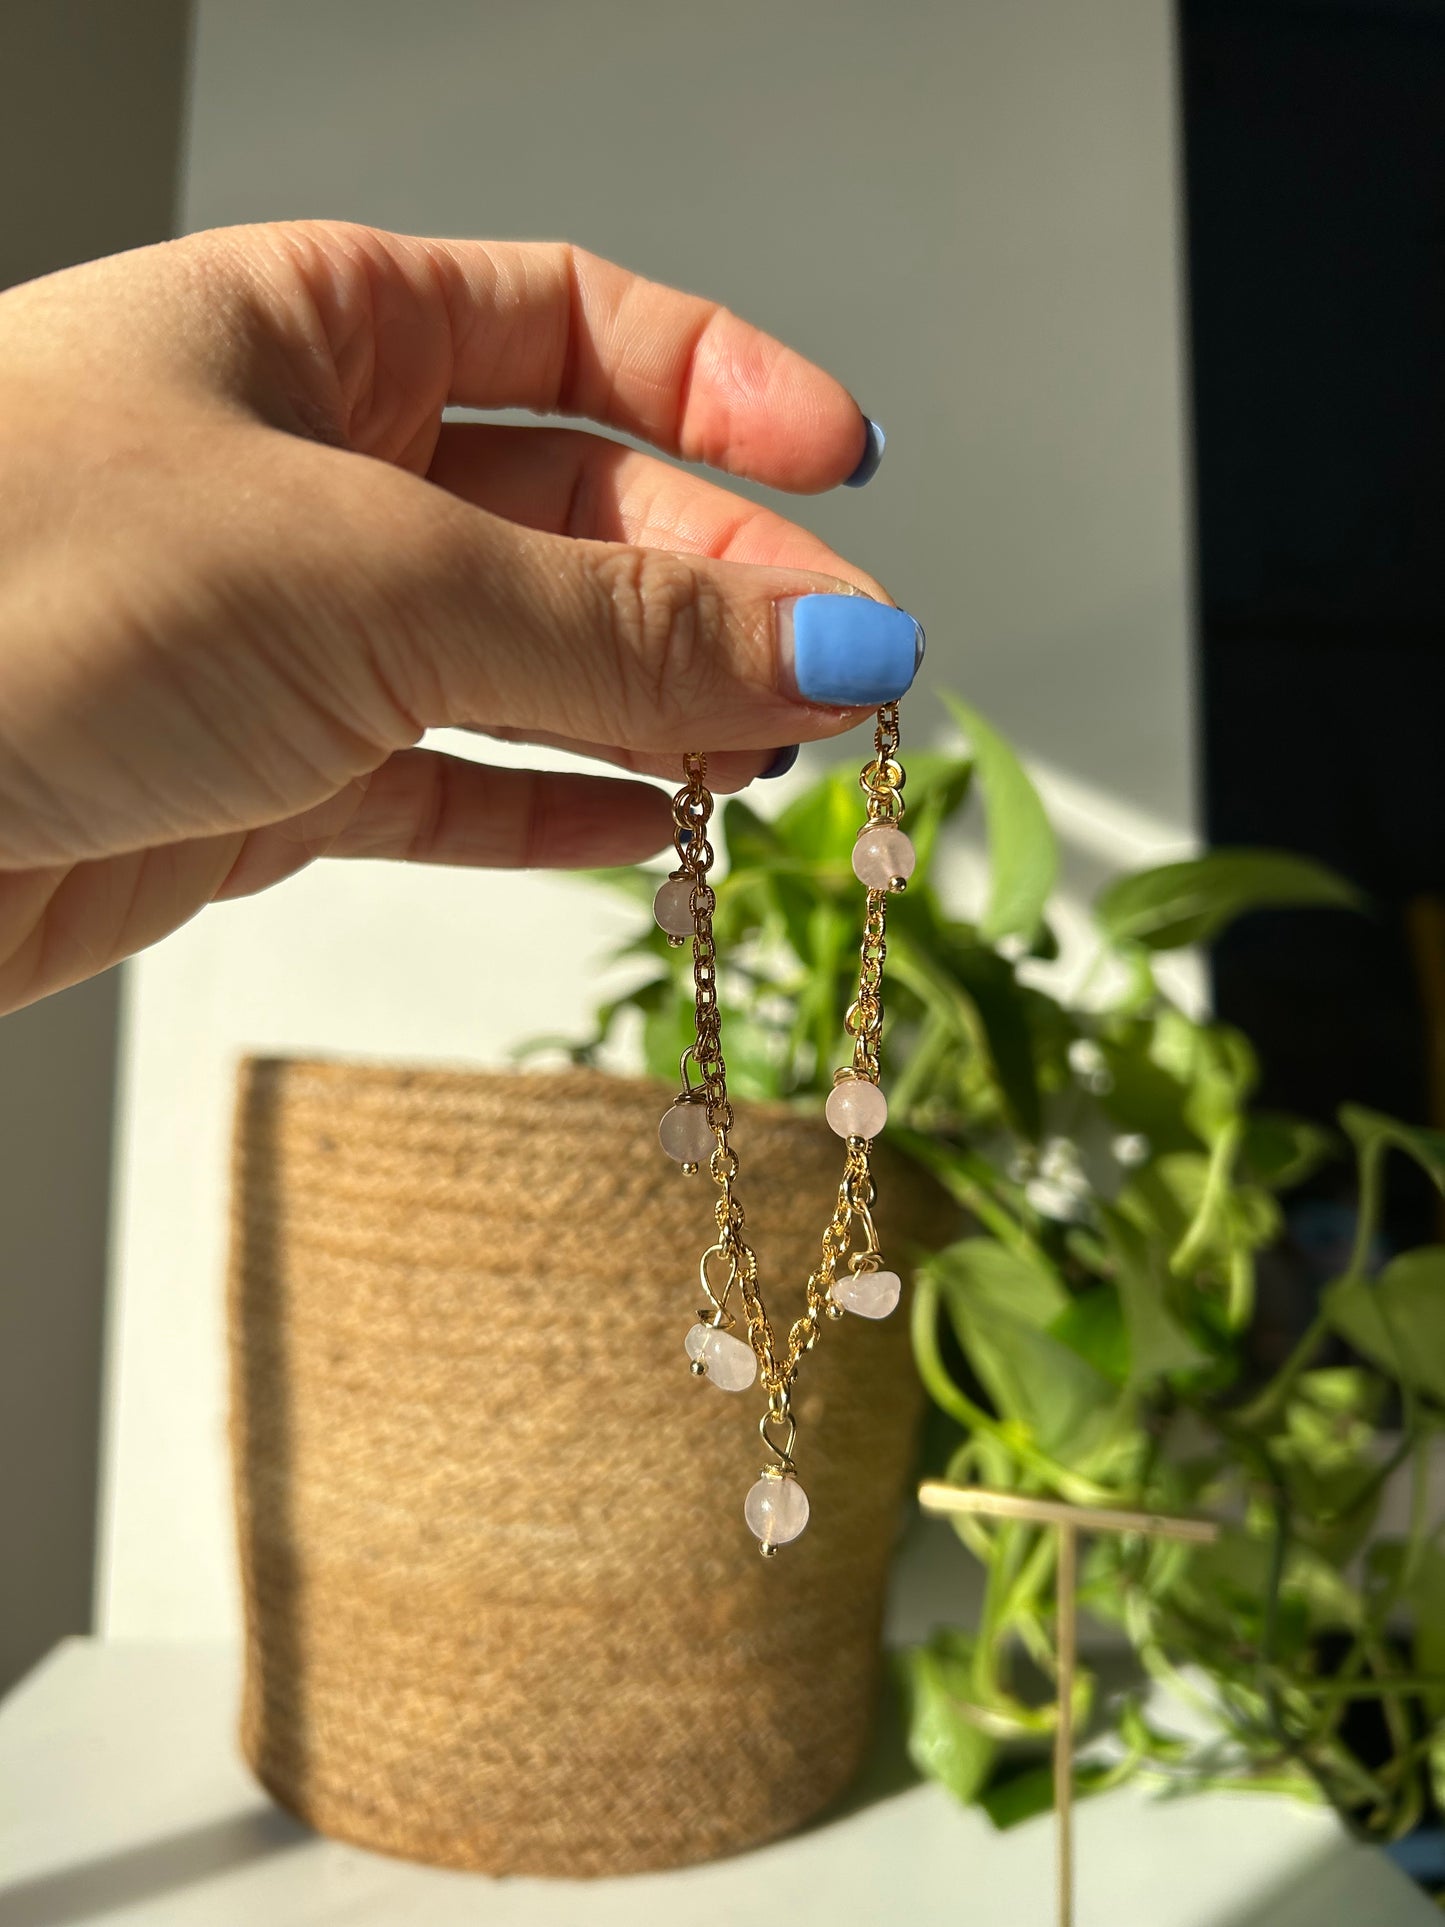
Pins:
<point x="1315" y="178"/>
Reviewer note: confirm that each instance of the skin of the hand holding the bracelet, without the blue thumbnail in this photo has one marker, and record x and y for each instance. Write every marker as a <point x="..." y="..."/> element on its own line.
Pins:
<point x="246" y="566"/>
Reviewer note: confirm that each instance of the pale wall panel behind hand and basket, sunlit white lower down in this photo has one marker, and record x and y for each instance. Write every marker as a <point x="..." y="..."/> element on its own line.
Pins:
<point x="968" y="211"/>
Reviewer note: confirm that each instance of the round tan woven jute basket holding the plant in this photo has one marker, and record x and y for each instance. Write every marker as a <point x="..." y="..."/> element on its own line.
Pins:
<point x="502" y="1604"/>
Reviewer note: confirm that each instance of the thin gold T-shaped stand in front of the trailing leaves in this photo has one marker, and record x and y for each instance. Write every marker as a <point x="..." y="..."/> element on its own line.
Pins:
<point x="937" y="1496"/>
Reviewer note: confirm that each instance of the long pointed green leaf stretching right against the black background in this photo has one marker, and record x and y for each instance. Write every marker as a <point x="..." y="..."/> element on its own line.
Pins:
<point x="1192" y="903"/>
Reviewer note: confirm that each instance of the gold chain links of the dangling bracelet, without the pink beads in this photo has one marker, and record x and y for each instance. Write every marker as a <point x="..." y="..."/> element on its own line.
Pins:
<point x="777" y="1363"/>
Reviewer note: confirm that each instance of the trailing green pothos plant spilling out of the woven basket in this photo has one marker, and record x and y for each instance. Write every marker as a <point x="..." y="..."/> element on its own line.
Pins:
<point x="1090" y="1334"/>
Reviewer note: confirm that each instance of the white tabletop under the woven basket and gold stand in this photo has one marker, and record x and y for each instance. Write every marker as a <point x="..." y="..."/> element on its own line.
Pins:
<point x="122" y="1801"/>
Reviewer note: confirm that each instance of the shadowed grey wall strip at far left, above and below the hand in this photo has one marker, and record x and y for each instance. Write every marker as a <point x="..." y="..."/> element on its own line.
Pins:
<point x="90" y="136"/>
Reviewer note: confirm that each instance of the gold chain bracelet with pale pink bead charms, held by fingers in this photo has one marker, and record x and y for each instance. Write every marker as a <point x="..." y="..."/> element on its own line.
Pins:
<point x="698" y="1128"/>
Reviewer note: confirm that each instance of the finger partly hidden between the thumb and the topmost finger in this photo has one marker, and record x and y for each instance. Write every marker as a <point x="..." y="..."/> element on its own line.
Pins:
<point x="567" y="483"/>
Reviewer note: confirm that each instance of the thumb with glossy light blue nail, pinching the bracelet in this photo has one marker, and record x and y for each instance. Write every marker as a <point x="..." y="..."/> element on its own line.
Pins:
<point x="637" y="647"/>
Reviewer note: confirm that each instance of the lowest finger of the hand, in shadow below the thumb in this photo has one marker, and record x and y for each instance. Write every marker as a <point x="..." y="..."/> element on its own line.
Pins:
<point x="423" y="806"/>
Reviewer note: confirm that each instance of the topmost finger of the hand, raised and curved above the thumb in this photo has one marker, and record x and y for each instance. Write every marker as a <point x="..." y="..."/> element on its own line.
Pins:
<point x="409" y="325"/>
